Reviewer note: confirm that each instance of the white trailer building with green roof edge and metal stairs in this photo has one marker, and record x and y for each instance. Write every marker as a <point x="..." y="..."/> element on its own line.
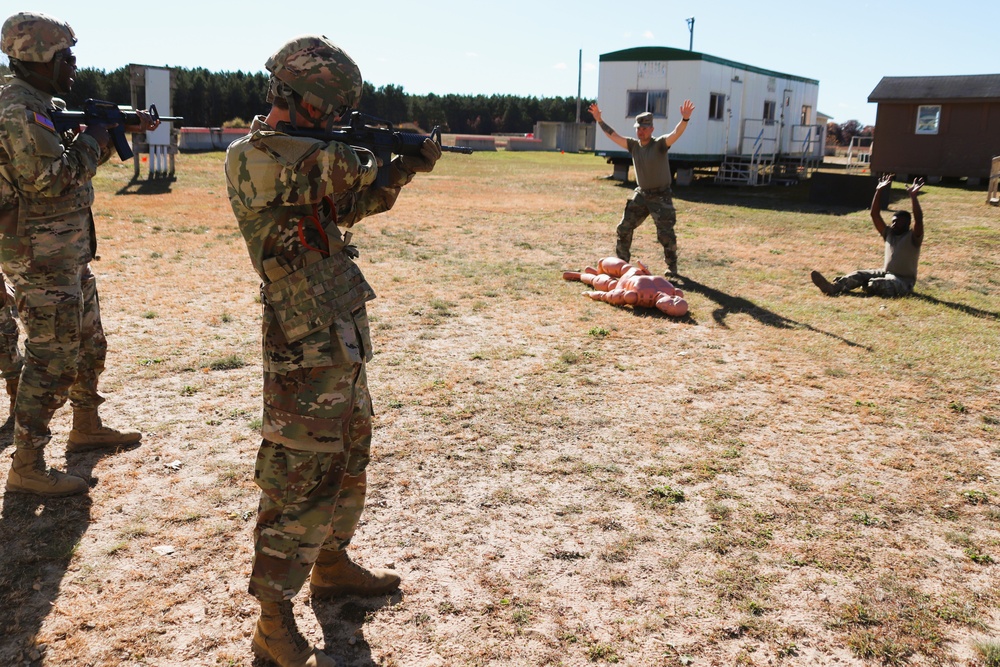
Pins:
<point x="754" y="125"/>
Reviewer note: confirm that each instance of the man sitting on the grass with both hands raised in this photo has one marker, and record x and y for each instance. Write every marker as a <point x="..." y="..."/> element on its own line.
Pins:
<point x="902" y="251"/>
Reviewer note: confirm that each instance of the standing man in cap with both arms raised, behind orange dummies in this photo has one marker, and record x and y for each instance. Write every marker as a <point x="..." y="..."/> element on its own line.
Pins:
<point x="653" y="196"/>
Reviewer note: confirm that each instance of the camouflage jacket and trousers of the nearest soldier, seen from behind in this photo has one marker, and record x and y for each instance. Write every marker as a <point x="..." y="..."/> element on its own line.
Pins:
<point x="291" y="196"/>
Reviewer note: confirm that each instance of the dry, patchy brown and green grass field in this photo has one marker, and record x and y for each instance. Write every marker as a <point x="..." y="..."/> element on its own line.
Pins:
<point x="780" y="478"/>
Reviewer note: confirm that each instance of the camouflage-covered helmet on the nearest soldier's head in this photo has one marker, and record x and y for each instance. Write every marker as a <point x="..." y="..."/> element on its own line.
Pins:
<point x="318" y="71"/>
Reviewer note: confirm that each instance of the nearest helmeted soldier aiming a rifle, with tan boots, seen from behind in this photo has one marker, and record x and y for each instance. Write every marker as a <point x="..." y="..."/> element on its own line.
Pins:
<point x="292" y="196"/>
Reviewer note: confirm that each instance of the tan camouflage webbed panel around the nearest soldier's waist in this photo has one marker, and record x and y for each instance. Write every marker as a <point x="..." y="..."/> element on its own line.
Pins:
<point x="312" y="297"/>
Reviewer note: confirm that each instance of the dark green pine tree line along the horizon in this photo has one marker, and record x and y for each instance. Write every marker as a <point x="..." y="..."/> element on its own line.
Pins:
<point x="218" y="99"/>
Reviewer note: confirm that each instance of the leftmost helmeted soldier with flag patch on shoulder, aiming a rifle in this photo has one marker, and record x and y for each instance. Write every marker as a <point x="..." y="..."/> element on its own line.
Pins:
<point x="47" y="241"/>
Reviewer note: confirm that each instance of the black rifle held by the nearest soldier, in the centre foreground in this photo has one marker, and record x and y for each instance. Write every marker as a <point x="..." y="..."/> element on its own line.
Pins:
<point x="376" y="135"/>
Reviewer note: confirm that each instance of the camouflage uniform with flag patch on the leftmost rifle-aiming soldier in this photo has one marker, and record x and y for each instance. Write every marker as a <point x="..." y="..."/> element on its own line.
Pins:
<point x="46" y="244"/>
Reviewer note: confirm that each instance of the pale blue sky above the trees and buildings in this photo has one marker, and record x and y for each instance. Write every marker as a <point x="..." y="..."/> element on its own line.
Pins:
<point x="531" y="48"/>
